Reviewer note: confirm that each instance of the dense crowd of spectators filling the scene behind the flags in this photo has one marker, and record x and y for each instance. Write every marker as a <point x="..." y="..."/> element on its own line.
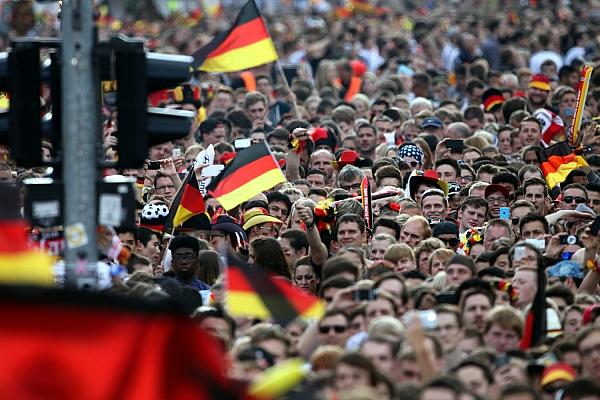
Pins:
<point x="446" y="108"/>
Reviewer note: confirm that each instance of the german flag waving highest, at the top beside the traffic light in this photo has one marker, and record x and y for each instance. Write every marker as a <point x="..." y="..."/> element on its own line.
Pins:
<point x="247" y="44"/>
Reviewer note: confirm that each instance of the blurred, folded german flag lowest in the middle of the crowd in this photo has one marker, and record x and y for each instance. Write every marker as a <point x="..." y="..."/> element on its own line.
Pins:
<point x="253" y="293"/>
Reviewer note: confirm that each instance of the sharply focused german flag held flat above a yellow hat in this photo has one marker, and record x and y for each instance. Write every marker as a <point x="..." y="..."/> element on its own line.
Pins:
<point x="251" y="172"/>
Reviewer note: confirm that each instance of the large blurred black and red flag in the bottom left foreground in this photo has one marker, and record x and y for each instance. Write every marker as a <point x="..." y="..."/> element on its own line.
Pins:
<point x="102" y="346"/>
